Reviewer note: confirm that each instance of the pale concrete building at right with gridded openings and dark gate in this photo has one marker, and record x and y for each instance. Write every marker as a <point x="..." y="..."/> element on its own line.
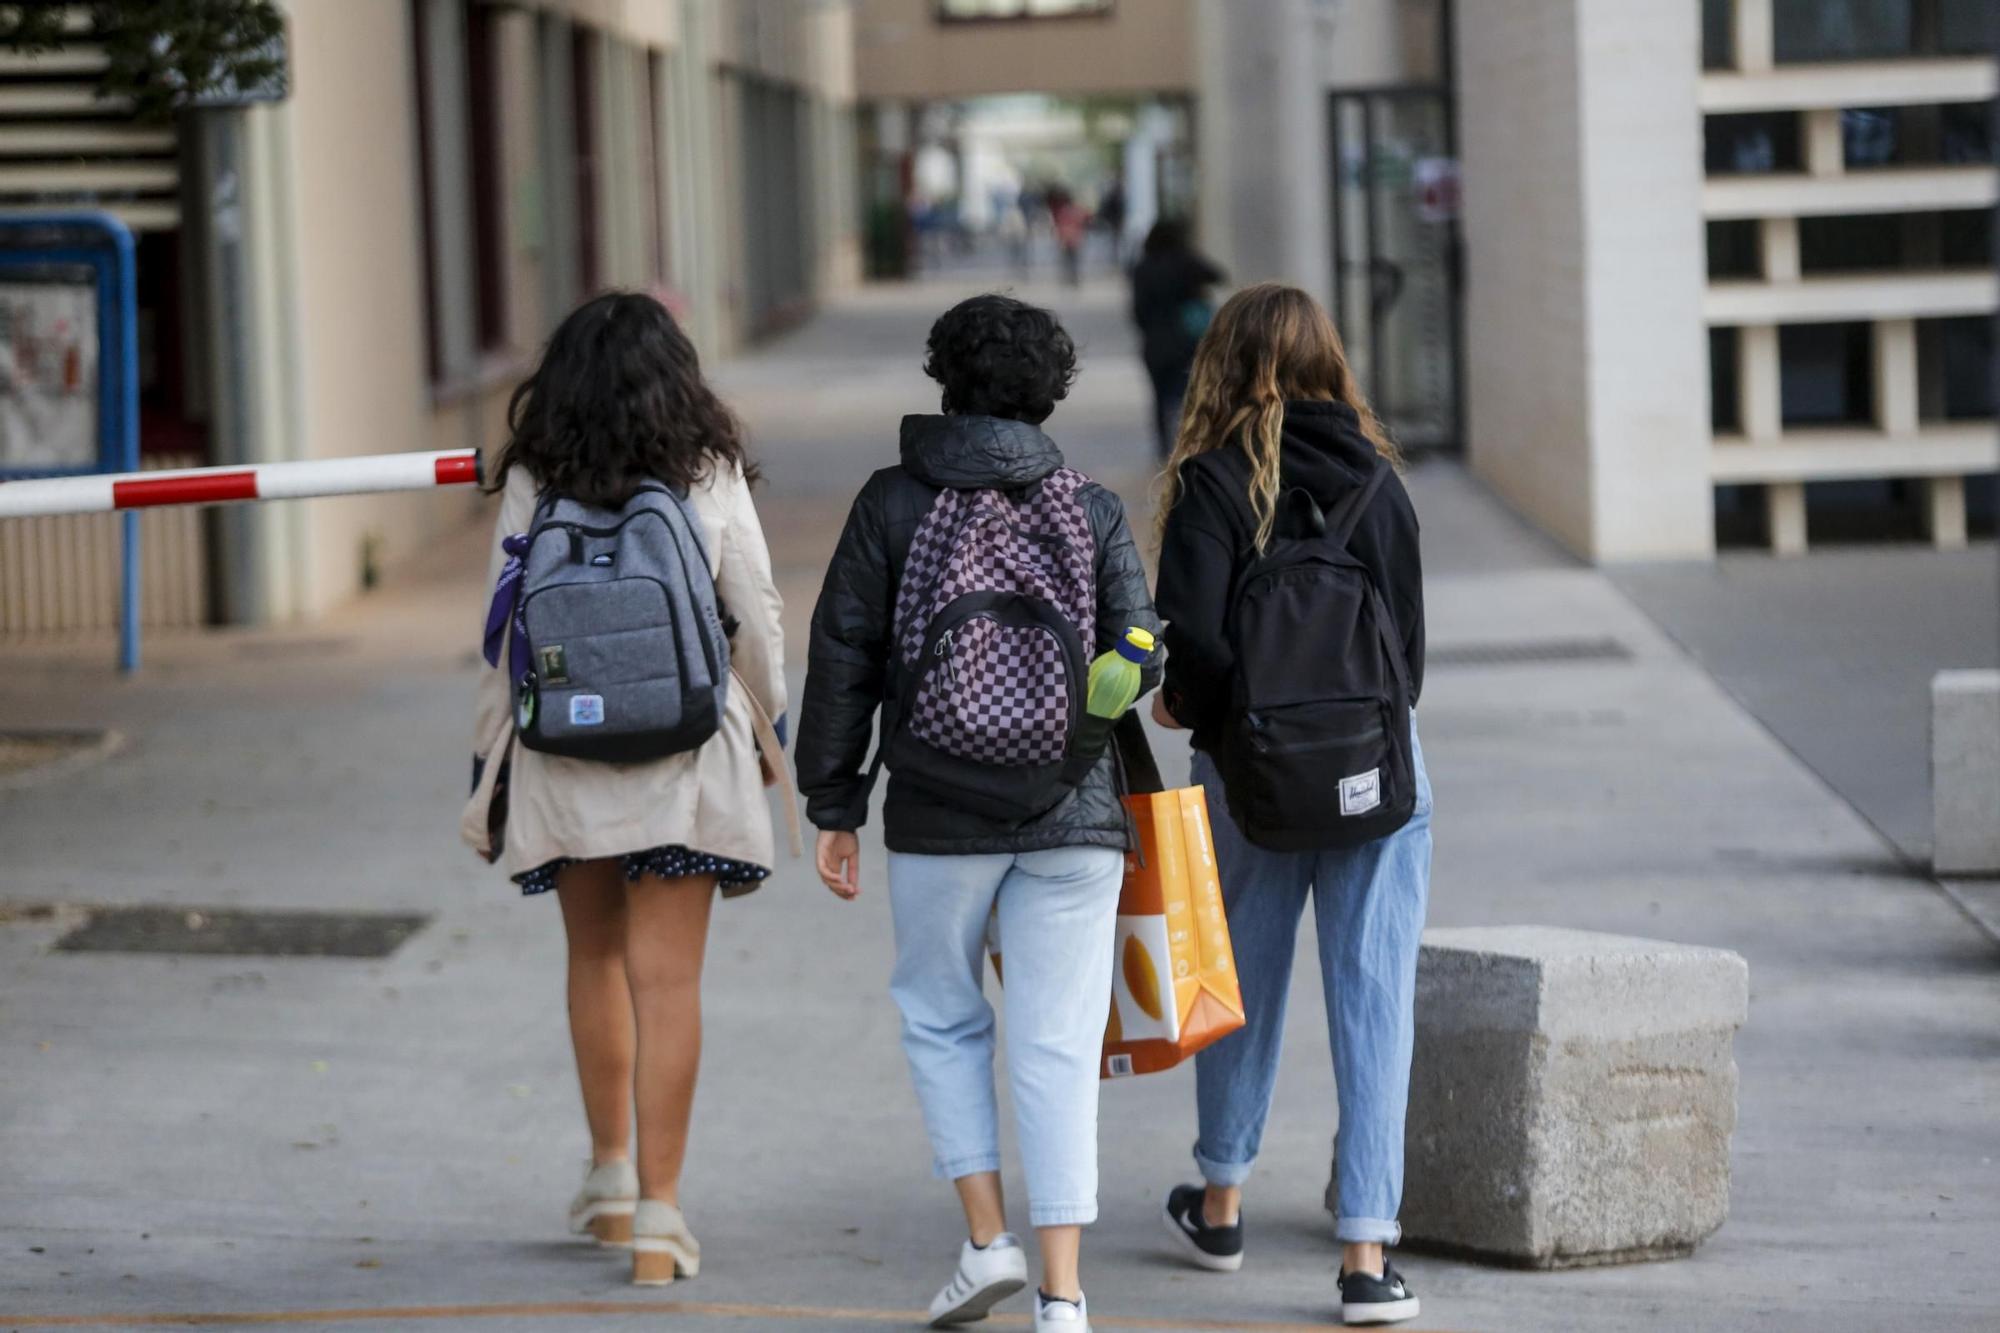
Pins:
<point x="1667" y="273"/>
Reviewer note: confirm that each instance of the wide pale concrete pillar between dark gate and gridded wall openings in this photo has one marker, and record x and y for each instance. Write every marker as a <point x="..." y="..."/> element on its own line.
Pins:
<point x="1587" y="353"/>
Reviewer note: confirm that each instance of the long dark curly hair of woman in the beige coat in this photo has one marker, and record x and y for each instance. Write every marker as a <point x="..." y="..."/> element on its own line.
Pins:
<point x="619" y="401"/>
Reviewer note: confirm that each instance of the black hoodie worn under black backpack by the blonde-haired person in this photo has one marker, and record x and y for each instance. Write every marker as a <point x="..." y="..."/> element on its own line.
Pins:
<point x="1211" y="533"/>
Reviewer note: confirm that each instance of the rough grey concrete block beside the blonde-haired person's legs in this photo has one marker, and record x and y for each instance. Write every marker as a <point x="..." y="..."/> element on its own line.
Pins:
<point x="1573" y="1096"/>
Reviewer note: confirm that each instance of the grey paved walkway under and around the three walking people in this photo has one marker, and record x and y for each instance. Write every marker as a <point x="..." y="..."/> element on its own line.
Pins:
<point x="335" y="1142"/>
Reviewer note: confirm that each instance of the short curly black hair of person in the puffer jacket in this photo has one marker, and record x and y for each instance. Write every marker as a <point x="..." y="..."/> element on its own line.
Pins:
<point x="1001" y="357"/>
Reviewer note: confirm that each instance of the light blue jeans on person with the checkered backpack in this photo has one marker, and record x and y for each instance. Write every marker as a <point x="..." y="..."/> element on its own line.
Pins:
<point x="1059" y="914"/>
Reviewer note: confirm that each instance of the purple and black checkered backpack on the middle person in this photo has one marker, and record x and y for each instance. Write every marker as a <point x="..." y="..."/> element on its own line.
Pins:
<point x="995" y="625"/>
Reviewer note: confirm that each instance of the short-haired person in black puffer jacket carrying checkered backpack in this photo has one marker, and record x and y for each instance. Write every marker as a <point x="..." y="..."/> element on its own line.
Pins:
<point x="987" y="812"/>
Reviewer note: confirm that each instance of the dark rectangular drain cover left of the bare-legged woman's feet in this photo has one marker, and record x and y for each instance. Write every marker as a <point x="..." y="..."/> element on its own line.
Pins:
<point x="233" y="932"/>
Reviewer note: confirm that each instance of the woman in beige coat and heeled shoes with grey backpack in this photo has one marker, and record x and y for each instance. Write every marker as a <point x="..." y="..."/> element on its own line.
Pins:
<point x="619" y="415"/>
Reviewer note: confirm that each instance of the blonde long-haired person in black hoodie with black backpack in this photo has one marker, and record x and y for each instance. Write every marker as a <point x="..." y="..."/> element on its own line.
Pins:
<point x="1293" y="589"/>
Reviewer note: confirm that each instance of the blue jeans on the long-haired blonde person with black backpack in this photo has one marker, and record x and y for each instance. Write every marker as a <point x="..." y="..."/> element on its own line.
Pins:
<point x="1369" y="910"/>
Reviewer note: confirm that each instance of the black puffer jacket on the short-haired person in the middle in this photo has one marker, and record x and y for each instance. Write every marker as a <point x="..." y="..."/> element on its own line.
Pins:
<point x="853" y="641"/>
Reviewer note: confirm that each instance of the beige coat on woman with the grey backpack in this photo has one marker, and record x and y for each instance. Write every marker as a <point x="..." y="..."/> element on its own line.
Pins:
<point x="709" y="800"/>
